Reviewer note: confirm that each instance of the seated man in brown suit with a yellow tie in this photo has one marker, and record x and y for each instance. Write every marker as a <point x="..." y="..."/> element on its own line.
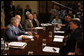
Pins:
<point x="28" y="23"/>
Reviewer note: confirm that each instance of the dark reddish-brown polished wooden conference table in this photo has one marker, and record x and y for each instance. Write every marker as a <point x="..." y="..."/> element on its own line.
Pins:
<point x="36" y="45"/>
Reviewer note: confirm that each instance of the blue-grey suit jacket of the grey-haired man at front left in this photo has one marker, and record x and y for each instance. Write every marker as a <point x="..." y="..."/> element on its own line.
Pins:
<point x="12" y="33"/>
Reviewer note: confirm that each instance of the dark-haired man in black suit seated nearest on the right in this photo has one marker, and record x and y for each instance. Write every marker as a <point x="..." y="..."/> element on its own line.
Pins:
<point x="75" y="35"/>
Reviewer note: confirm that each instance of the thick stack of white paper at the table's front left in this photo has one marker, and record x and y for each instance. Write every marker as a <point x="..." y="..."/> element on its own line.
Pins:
<point x="19" y="45"/>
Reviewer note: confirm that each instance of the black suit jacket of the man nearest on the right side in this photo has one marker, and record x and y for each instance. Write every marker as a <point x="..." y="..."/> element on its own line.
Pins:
<point x="71" y="42"/>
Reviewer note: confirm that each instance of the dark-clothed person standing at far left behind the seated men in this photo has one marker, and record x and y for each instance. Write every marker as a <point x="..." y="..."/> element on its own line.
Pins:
<point x="9" y="10"/>
